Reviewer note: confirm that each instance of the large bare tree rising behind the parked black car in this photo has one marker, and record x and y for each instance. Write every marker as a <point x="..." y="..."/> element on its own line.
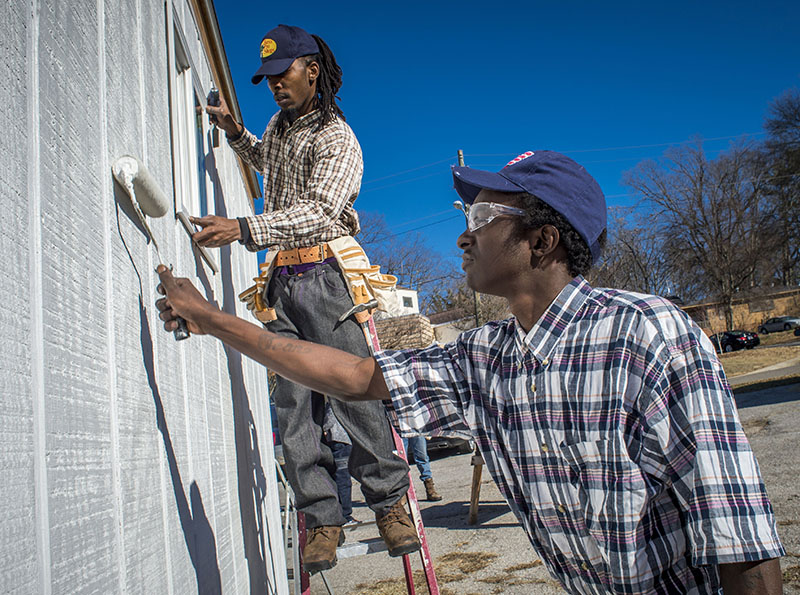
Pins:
<point x="713" y="216"/>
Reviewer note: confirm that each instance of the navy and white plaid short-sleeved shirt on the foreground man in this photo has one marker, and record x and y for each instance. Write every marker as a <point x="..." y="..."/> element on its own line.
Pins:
<point x="612" y="433"/>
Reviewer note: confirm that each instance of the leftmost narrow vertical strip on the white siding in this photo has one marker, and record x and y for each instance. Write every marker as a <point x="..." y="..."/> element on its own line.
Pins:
<point x="41" y="490"/>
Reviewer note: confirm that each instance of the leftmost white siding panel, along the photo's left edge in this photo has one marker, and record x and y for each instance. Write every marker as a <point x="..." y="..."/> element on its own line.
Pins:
<point x="18" y="568"/>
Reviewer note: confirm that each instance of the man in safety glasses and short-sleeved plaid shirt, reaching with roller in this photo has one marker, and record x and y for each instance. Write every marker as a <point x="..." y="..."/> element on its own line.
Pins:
<point x="604" y="416"/>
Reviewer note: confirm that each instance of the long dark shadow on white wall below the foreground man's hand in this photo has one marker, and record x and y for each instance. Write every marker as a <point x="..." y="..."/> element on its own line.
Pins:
<point x="197" y="531"/>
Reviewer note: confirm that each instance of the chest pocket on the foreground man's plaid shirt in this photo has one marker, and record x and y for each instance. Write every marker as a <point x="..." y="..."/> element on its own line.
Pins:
<point x="612" y="493"/>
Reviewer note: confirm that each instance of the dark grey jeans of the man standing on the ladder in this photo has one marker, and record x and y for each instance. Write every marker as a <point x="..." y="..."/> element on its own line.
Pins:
<point x="308" y="306"/>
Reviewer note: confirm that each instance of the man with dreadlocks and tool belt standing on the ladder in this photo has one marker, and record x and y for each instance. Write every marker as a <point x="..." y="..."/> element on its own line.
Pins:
<point x="312" y="169"/>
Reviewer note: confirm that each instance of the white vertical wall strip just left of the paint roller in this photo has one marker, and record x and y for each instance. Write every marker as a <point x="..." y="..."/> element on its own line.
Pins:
<point x="113" y="394"/>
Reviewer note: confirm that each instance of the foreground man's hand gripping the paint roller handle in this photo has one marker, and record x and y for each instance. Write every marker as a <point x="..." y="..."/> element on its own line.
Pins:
<point x="182" y="300"/>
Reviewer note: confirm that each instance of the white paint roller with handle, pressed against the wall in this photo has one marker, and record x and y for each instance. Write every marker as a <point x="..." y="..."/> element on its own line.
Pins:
<point x="147" y="200"/>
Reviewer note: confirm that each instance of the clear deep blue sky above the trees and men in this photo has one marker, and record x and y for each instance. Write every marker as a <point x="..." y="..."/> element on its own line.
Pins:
<point x="609" y="84"/>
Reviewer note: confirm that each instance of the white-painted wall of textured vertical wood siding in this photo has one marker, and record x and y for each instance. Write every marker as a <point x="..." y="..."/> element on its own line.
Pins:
<point x="129" y="462"/>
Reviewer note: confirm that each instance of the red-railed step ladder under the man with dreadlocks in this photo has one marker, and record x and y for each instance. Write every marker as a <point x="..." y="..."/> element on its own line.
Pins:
<point x="294" y="529"/>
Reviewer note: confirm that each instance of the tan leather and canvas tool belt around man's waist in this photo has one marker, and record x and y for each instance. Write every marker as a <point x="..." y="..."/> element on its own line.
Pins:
<point x="364" y="280"/>
